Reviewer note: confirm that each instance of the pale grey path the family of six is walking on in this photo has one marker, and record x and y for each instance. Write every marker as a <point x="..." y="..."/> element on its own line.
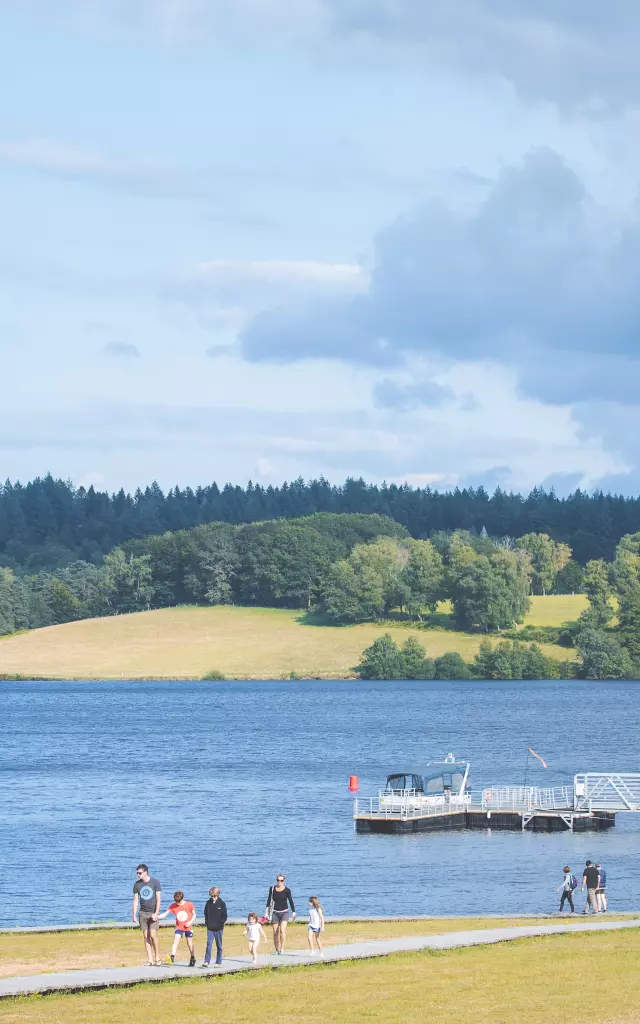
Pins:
<point x="74" y="982"/>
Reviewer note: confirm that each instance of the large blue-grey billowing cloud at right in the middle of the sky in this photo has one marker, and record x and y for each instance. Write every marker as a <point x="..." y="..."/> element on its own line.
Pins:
<point x="537" y="277"/>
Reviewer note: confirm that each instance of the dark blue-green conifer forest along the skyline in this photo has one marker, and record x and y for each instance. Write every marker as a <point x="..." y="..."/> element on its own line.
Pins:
<point x="49" y="524"/>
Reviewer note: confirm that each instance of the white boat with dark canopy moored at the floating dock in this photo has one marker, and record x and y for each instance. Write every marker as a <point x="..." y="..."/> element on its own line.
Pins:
<point x="441" y="783"/>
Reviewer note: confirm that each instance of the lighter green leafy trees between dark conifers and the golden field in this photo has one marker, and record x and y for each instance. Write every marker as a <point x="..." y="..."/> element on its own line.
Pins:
<point x="353" y="569"/>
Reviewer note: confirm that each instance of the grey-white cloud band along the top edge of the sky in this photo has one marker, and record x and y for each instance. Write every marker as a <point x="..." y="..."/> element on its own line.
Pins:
<point x="582" y="55"/>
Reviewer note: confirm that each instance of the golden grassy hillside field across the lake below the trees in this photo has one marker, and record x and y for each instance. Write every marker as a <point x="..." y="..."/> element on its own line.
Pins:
<point x="242" y="644"/>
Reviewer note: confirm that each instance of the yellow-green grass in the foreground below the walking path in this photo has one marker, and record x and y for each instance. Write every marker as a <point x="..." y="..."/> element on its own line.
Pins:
<point x="566" y="979"/>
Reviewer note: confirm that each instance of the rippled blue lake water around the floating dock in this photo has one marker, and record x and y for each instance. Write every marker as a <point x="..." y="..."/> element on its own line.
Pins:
<point x="231" y="783"/>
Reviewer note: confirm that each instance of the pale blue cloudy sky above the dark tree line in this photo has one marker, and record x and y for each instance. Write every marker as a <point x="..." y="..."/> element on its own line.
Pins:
<point x="273" y="239"/>
